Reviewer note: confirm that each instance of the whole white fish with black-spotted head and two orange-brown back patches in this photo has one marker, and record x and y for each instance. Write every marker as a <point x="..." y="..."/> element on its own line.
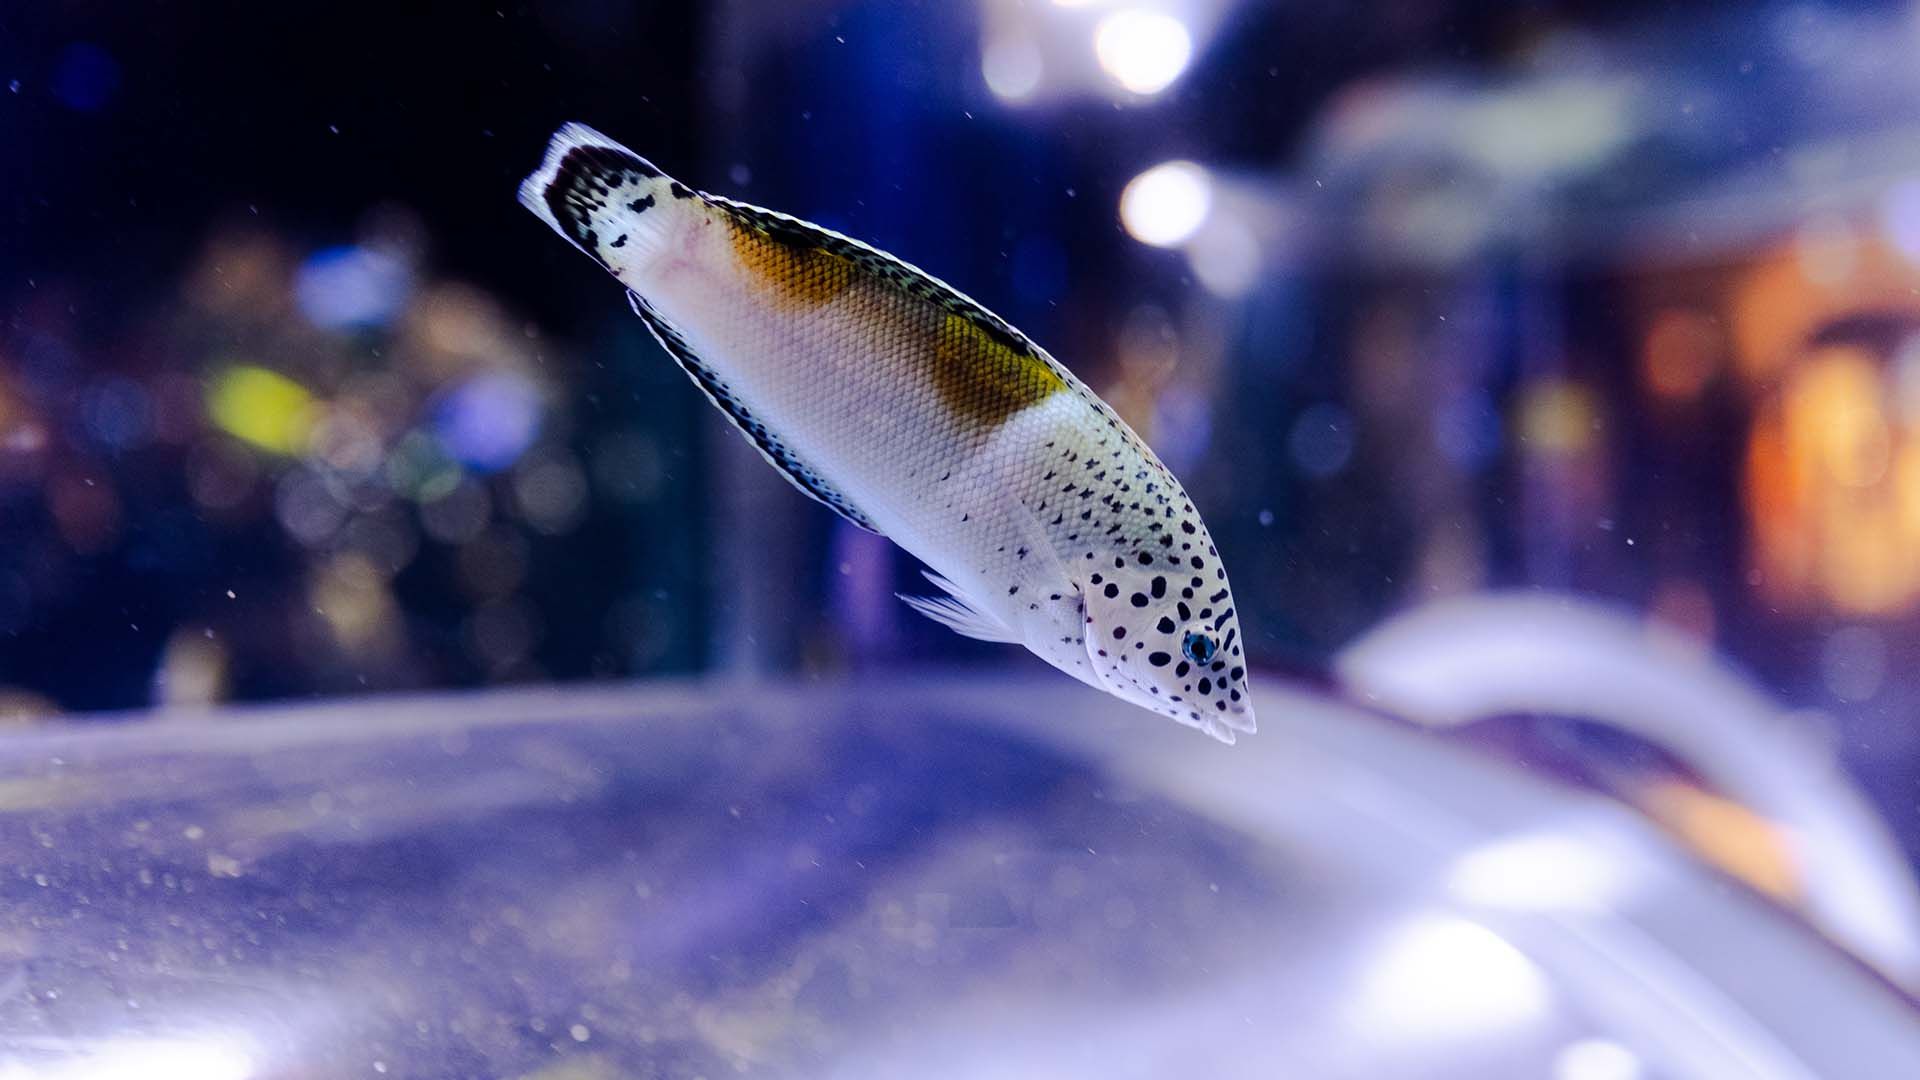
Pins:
<point x="919" y="414"/>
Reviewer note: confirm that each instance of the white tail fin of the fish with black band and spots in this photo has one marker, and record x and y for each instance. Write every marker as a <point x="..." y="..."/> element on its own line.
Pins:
<point x="598" y="193"/>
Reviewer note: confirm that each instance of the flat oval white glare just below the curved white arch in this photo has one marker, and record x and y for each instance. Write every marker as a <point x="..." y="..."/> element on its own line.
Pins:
<point x="1547" y="871"/>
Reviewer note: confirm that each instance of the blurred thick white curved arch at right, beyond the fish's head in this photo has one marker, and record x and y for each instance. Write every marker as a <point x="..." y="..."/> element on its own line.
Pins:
<point x="1500" y="654"/>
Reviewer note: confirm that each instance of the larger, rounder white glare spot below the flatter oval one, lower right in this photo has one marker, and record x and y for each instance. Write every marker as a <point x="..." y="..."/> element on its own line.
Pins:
<point x="1447" y="977"/>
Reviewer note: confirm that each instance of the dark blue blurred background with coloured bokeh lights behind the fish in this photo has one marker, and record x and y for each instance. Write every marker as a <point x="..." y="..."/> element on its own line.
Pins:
<point x="1422" y="301"/>
